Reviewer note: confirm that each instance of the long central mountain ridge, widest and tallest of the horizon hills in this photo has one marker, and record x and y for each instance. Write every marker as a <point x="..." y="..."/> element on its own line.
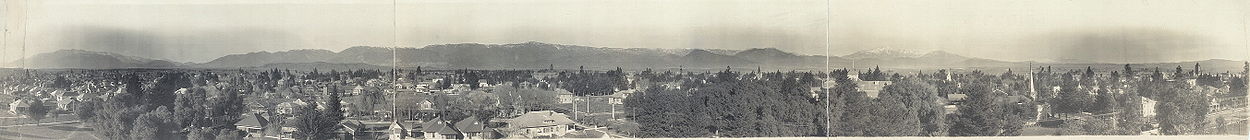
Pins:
<point x="528" y="56"/>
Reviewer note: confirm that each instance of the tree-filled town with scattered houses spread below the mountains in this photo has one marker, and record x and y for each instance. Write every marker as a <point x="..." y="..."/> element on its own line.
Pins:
<point x="404" y="104"/>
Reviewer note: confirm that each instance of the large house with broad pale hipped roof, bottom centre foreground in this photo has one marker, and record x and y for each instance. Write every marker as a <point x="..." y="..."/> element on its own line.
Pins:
<point x="539" y="124"/>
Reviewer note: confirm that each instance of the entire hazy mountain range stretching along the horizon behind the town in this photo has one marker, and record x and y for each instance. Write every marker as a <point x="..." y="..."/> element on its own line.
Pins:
<point x="542" y="56"/>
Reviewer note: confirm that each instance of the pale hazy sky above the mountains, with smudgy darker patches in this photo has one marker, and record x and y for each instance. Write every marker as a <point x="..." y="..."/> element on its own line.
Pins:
<point x="1016" y="31"/>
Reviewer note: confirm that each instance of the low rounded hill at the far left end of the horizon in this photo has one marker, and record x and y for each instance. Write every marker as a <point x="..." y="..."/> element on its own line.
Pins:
<point x="83" y="59"/>
